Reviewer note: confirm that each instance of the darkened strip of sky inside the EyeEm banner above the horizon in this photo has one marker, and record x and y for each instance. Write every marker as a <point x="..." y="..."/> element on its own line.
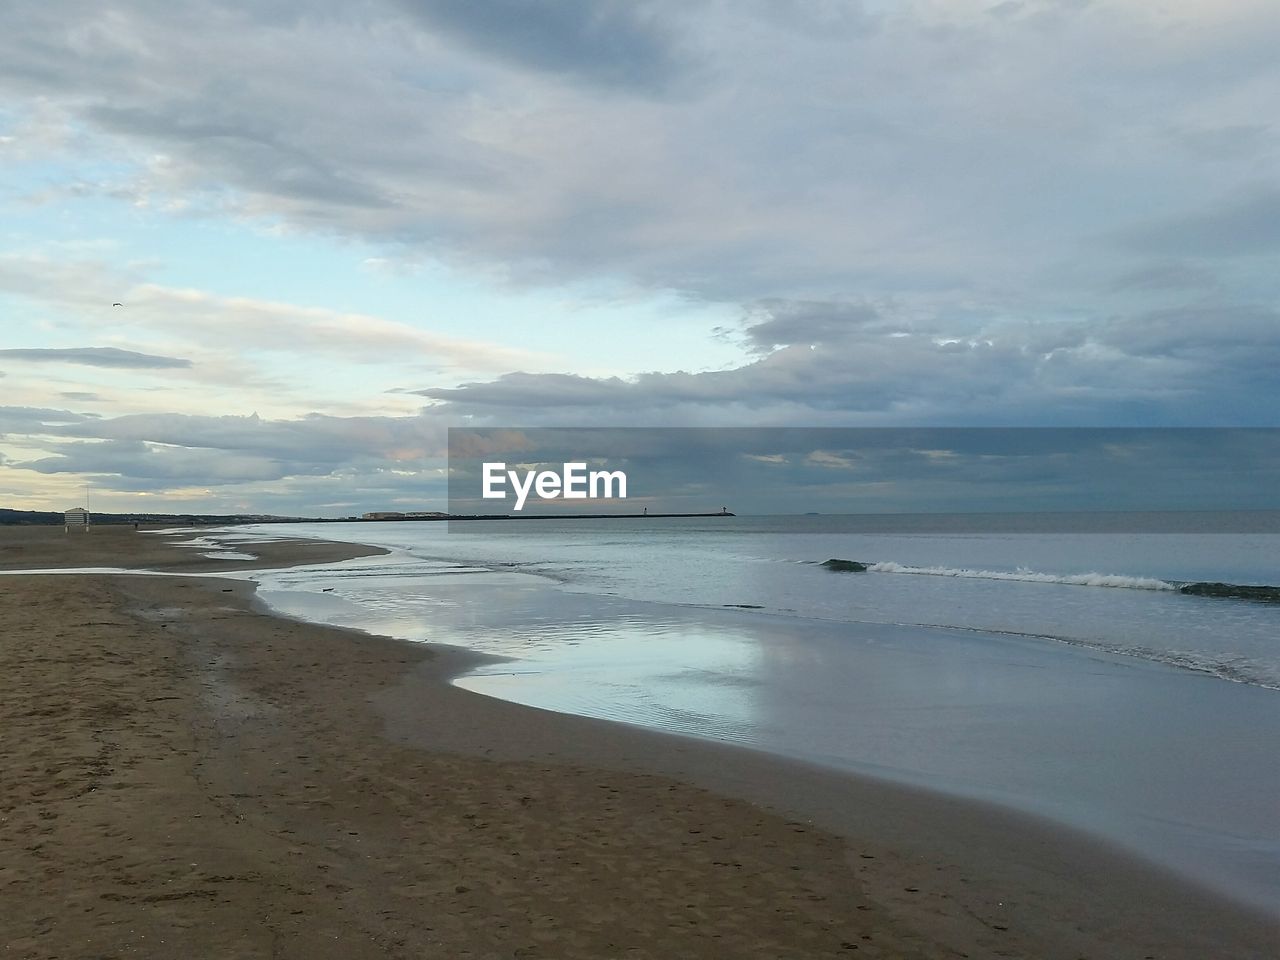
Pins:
<point x="915" y="470"/>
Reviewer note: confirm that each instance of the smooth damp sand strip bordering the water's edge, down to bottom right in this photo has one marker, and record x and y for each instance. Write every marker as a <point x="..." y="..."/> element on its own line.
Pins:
<point x="1036" y="875"/>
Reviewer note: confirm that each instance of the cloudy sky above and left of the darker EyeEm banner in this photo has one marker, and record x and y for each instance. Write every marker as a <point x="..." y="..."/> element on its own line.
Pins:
<point x="337" y="230"/>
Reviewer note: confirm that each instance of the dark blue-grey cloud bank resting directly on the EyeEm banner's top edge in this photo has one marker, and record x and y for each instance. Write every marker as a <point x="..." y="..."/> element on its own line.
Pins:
<point x="849" y="364"/>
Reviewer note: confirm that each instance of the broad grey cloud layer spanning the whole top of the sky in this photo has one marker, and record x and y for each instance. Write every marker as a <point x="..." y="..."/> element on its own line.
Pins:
<point x="817" y="157"/>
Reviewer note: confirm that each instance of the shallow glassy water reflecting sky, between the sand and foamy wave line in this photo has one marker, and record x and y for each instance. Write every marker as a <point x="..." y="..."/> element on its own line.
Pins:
<point x="1060" y="734"/>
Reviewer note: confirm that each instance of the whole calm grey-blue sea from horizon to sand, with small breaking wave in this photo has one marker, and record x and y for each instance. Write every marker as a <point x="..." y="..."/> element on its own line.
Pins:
<point x="1066" y="666"/>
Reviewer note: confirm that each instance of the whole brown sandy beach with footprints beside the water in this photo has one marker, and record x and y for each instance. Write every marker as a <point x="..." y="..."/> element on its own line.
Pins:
<point x="184" y="775"/>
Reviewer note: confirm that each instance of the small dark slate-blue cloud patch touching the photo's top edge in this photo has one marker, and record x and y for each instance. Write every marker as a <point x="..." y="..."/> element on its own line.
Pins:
<point x="614" y="43"/>
